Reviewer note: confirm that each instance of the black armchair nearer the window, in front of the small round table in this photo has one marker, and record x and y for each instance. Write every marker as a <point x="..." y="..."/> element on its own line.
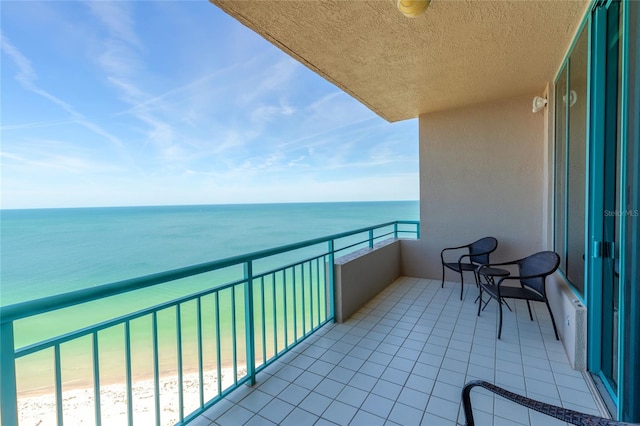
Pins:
<point x="532" y="273"/>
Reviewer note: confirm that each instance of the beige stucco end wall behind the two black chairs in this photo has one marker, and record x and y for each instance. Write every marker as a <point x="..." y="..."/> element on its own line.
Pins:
<point x="482" y="172"/>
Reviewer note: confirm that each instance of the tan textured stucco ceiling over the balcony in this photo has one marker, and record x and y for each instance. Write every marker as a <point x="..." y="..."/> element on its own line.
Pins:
<point x="458" y="53"/>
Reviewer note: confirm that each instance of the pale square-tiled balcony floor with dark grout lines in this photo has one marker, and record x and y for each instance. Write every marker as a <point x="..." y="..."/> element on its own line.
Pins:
<point x="403" y="360"/>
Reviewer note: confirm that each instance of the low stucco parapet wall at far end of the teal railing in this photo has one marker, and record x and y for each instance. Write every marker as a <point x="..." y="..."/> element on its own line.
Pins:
<point x="363" y="274"/>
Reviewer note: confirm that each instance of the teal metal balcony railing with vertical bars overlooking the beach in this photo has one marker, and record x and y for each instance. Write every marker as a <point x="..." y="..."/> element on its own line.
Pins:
<point x="256" y="309"/>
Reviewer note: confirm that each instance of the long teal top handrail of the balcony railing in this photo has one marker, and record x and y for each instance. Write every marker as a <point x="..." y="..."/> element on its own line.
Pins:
<point x="59" y="301"/>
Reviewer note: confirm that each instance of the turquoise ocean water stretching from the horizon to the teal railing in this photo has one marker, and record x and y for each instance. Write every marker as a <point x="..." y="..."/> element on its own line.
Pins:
<point x="54" y="251"/>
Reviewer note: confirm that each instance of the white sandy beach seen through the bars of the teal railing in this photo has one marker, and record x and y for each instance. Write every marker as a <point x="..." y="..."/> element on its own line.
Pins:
<point x="79" y="406"/>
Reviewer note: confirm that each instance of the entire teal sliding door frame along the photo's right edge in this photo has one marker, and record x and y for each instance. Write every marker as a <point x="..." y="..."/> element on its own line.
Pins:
<point x="619" y="367"/>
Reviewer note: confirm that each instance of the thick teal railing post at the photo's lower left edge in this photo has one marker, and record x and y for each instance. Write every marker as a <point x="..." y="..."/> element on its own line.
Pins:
<point x="8" y="390"/>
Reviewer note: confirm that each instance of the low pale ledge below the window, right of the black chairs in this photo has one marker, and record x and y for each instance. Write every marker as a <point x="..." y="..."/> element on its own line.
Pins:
<point x="571" y="319"/>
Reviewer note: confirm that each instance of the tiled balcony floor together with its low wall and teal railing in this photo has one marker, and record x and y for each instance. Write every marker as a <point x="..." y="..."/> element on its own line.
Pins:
<point x="258" y="345"/>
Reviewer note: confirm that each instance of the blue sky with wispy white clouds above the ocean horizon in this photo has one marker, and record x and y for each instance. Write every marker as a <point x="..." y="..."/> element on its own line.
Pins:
<point x="113" y="103"/>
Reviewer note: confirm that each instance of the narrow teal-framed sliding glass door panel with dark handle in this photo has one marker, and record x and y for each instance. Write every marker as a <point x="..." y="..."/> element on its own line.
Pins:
<point x="605" y="187"/>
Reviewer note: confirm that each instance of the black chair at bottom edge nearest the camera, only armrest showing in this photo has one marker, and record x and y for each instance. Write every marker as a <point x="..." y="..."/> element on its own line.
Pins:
<point x="563" y="414"/>
